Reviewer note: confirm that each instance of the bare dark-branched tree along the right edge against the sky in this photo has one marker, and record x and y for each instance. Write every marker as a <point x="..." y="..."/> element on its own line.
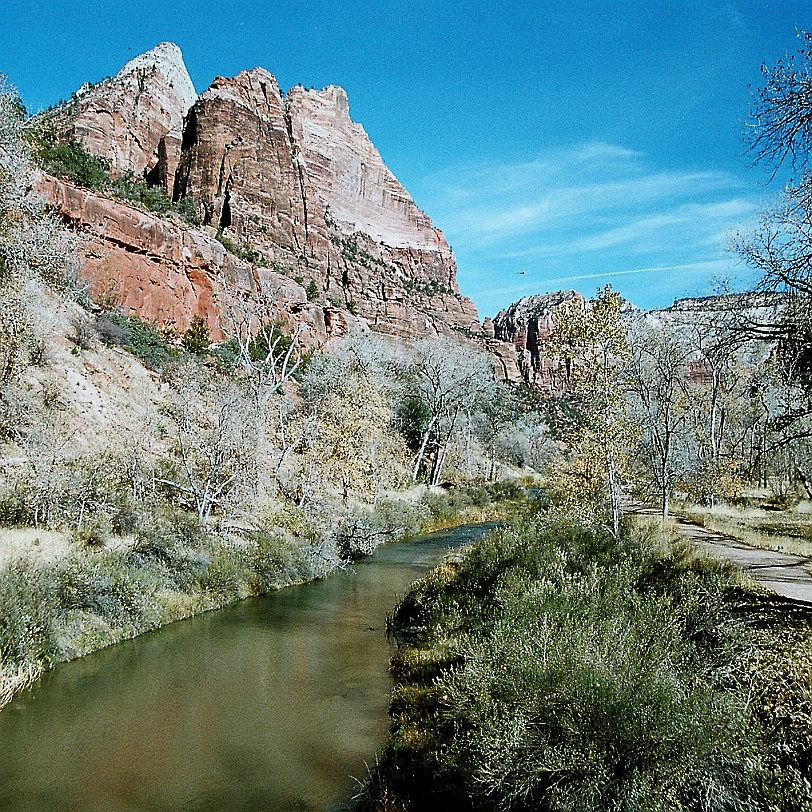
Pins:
<point x="780" y="249"/>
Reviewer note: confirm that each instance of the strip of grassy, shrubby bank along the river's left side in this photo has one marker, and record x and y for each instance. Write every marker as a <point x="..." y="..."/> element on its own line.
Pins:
<point x="57" y="608"/>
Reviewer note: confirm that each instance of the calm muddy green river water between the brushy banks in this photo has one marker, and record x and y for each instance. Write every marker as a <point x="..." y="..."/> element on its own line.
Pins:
<point x="275" y="703"/>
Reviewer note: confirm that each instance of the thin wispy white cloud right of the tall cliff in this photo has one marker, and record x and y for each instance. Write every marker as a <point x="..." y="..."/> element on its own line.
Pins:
<point x="587" y="212"/>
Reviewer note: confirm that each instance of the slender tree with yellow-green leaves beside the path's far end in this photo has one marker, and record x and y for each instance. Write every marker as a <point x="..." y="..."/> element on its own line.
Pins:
<point x="590" y="338"/>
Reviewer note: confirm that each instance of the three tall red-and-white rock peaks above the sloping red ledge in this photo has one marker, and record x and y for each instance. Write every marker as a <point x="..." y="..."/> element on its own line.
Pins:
<point x="293" y="184"/>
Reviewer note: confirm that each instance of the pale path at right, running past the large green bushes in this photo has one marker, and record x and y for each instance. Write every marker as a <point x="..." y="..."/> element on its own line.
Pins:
<point x="786" y="575"/>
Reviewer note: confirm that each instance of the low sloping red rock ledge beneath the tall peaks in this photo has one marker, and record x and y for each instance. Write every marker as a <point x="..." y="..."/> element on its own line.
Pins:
<point x="166" y="273"/>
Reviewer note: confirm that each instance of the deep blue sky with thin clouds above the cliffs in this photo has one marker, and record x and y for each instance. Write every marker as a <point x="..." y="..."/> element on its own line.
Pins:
<point x="556" y="144"/>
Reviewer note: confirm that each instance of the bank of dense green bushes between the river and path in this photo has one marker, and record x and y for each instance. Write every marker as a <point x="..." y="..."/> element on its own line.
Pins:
<point x="555" y="667"/>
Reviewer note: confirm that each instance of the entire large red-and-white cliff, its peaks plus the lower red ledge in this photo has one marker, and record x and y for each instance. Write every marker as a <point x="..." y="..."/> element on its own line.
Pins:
<point x="294" y="179"/>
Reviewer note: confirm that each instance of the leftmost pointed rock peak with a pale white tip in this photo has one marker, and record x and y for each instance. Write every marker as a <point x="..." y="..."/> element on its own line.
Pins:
<point x="124" y="118"/>
